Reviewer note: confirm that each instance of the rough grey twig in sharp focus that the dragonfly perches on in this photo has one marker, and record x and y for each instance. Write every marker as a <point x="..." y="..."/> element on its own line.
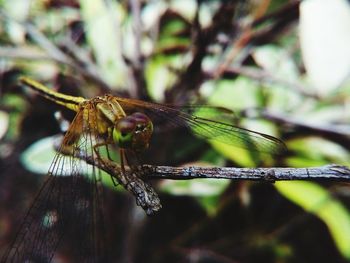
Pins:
<point x="147" y="198"/>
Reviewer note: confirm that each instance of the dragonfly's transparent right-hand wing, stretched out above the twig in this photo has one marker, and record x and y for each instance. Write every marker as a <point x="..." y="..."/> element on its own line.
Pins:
<point x="215" y="128"/>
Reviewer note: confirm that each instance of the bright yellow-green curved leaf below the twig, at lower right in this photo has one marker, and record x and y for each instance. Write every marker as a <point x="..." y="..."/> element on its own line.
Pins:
<point x="318" y="201"/>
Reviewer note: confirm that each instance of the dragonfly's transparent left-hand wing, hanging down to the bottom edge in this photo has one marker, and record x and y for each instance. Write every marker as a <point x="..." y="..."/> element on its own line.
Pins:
<point x="67" y="202"/>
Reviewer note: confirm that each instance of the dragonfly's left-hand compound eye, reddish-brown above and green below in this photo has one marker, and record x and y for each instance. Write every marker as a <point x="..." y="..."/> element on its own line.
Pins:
<point x="123" y="132"/>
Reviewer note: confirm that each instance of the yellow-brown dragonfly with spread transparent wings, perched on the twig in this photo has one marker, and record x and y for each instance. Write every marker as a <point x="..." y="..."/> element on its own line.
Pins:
<point x="102" y="123"/>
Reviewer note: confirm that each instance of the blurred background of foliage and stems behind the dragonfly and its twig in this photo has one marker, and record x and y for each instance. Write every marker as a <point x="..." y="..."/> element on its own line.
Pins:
<point x="283" y="67"/>
